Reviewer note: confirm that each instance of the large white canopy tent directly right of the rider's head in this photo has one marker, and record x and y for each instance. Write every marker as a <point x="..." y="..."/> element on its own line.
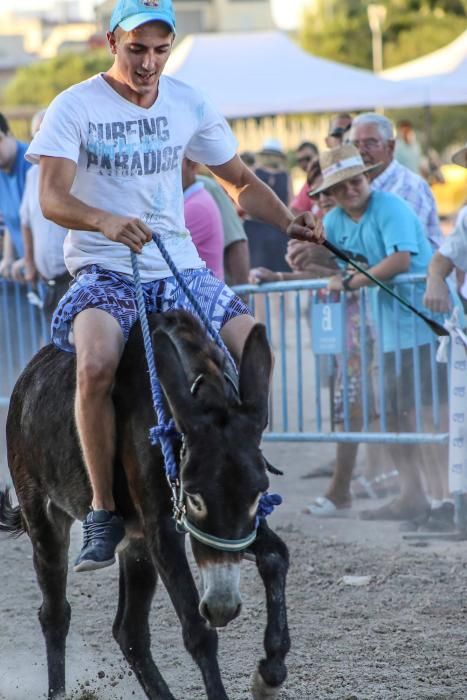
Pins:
<point x="265" y="73"/>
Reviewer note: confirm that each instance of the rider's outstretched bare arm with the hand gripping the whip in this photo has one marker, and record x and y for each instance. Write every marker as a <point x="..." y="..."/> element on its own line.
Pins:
<point x="260" y="202"/>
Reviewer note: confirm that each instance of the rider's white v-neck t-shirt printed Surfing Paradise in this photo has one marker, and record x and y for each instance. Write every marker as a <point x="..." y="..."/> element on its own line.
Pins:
<point x="129" y="163"/>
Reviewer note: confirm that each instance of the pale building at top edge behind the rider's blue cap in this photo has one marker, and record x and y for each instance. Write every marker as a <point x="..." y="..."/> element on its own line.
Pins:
<point x="194" y="16"/>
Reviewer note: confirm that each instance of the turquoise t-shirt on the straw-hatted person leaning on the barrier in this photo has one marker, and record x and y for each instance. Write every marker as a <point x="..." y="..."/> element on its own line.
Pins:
<point x="388" y="226"/>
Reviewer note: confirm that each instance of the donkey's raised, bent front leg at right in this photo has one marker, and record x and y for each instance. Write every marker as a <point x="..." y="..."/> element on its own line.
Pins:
<point x="272" y="560"/>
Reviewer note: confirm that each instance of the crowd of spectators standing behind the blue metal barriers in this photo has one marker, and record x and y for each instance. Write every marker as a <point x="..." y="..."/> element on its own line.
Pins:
<point x="367" y="189"/>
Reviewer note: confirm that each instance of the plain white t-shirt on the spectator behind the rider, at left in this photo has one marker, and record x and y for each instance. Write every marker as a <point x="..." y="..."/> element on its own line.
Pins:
<point x="47" y="236"/>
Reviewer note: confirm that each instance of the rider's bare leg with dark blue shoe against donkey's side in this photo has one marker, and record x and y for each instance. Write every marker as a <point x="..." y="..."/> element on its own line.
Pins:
<point x="99" y="345"/>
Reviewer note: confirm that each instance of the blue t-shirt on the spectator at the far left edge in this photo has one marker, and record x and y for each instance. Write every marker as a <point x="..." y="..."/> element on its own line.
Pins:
<point x="11" y="192"/>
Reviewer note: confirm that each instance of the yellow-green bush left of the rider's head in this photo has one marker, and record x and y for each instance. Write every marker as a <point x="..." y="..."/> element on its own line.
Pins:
<point x="39" y="83"/>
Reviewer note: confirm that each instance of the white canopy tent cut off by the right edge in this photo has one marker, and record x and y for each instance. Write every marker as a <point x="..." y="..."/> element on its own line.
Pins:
<point x="440" y="78"/>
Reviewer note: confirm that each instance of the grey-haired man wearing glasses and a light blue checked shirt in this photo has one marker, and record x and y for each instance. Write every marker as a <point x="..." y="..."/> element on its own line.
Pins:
<point x="373" y="135"/>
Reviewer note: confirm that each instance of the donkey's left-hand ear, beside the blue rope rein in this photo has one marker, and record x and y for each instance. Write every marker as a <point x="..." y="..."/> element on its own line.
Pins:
<point x="174" y="382"/>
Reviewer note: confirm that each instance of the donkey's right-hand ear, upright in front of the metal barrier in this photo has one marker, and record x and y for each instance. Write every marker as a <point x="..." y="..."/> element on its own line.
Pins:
<point x="255" y="371"/>
